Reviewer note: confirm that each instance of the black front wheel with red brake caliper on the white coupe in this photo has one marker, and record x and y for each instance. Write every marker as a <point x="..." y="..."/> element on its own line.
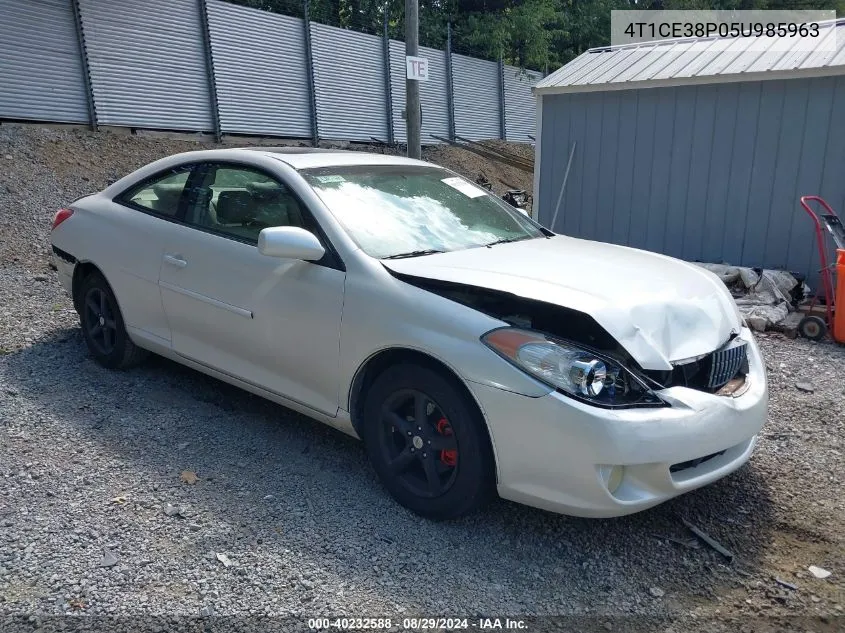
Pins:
<point x="428" y="442"/>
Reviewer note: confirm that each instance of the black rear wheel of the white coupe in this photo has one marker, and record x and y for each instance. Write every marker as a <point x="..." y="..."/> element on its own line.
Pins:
<point x="103" y="327"/>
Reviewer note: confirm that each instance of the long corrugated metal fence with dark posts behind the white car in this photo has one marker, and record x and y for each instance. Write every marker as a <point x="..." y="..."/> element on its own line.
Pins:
<point x="208" y="65"/>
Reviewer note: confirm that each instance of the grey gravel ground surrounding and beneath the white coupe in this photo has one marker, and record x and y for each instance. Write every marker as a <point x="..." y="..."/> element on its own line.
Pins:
<point x="90" y="459"/>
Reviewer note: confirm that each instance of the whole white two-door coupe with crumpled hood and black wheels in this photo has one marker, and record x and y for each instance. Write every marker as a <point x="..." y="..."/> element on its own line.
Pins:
<point x="472" y="350"/>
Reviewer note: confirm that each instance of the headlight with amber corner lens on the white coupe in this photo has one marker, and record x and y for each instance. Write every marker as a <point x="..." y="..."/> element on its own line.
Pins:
<point x="573" y="370"/>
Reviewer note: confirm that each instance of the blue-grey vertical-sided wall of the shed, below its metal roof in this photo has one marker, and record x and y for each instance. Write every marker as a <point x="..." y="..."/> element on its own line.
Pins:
<point x="709" y="173"/>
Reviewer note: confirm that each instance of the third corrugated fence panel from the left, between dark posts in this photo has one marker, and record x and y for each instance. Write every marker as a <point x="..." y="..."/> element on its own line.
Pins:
<point x="259" y="68"/>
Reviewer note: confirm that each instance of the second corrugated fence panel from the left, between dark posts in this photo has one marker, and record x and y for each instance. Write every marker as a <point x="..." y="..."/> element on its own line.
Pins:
<point x="147" y="63"/>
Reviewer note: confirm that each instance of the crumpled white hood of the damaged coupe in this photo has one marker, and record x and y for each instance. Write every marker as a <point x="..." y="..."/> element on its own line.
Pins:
<point x="658" y="308"/>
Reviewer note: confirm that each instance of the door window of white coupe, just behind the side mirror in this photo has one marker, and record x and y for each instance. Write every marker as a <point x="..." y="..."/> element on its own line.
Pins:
<point x="239" y="201"/>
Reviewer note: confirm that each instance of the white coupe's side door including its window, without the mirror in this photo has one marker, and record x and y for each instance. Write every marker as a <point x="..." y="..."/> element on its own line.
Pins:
<point x="271" y="322"/>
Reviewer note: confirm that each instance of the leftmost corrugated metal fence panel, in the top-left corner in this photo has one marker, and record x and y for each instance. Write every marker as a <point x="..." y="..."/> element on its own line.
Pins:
<point x="40" y="66"/>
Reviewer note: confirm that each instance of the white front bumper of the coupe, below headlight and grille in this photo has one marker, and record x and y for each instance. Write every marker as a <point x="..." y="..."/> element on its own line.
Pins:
<point x="554" y="452"/>
